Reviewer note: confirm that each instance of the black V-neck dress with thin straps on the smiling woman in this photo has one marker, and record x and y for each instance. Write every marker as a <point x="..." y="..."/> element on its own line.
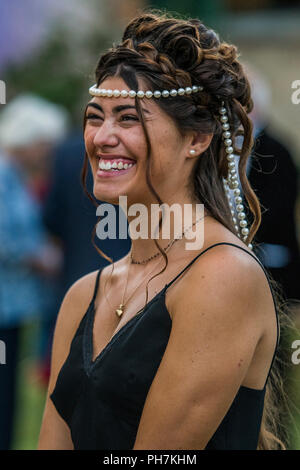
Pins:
<point x="102" y="400"/>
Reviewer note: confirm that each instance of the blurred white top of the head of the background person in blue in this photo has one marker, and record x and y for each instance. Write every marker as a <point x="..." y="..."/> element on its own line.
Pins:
<point x="29" y="119"/>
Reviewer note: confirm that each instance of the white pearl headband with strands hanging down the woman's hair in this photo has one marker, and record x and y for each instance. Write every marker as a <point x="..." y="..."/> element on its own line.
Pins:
<point x="231" y="183"/>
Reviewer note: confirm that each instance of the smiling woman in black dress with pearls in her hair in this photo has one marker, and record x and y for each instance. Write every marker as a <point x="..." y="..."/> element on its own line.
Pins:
<point x="128" y="373"/>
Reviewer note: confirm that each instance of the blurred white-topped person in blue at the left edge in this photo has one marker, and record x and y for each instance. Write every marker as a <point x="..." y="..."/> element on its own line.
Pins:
<point x="29" y="261"/>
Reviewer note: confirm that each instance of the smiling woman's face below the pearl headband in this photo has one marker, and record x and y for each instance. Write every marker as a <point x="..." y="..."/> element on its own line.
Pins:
<point x="116" y="147"/>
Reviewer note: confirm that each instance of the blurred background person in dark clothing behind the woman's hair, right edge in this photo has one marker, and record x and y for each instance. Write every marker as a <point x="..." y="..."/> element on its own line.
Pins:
<point x="274" y="176"/>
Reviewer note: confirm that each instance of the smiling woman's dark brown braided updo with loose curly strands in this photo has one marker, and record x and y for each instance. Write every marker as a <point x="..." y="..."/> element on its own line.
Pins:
<point x="165" y="53"/>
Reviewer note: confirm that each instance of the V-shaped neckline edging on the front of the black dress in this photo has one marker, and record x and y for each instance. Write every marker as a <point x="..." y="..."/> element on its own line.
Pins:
<point x="89" y="333"/>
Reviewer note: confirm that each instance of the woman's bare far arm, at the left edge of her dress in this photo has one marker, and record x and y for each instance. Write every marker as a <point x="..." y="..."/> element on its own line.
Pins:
<point x="55" y="434"/>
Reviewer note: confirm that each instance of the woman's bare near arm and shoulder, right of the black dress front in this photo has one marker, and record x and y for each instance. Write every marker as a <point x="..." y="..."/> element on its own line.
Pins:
<point x="217" y="322"/>
